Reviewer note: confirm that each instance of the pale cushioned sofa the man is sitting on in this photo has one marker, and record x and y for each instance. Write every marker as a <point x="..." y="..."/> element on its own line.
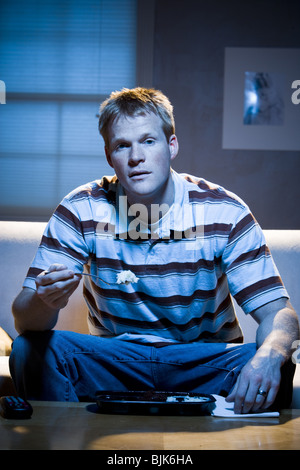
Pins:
<point x="19" y="241"/>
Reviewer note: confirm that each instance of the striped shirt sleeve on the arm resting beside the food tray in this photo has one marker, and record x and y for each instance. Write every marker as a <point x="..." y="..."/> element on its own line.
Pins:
<point x="253" y="277"/>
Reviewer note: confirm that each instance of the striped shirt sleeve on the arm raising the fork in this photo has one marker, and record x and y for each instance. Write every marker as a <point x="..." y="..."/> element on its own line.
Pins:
<point x="63" y="242"/>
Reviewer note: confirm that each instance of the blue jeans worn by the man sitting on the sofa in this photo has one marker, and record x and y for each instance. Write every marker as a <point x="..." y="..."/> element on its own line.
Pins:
<point x="67" y="366"/>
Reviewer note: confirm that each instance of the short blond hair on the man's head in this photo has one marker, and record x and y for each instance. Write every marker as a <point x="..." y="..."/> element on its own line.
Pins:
<point x="131" y="102"/>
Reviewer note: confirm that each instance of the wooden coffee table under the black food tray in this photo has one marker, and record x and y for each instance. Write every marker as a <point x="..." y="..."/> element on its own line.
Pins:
<point x="56" y="425"/>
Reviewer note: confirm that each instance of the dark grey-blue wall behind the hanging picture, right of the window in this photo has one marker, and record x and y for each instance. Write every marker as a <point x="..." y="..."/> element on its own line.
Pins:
<point x="189" y="44"/>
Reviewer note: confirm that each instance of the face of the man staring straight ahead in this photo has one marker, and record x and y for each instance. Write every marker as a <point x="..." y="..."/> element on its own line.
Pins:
<point x="141" y="157"/>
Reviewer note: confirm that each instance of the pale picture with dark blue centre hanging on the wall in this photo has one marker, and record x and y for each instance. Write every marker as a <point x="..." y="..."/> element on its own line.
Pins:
<point x="261" y="103"/>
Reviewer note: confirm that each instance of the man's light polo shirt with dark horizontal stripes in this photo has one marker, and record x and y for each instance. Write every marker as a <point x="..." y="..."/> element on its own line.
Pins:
<point x="206" y="248"/>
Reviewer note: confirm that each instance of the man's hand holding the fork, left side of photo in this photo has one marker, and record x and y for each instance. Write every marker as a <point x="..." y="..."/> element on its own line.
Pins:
<point x="55" y="286"/>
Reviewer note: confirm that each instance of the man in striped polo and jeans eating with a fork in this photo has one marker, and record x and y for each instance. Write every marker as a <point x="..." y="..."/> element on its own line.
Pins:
<point x="190" y="243"/>
